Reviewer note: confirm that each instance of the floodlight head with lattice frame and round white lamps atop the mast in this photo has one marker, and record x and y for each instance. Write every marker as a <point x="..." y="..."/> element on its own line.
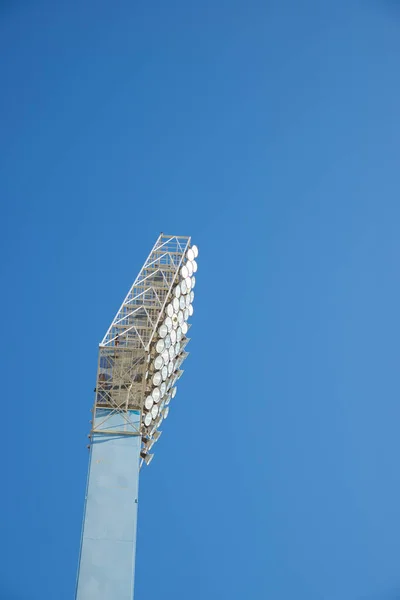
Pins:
<point x="142" y="353"/>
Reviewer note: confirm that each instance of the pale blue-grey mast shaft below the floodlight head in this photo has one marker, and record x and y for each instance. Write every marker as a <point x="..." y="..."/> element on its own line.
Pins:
<point x="106" y="566"/>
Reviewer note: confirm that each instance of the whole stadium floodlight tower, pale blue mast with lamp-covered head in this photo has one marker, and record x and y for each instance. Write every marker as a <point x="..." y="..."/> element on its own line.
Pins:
<point x="140" y="362"/>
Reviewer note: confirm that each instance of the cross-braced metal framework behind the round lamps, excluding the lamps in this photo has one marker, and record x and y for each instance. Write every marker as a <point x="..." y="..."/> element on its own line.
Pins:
<point x="124" y="352"/>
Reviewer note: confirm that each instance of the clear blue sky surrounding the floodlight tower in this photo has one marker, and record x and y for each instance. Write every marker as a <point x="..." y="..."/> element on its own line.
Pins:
<point x="269" y="131"/>
